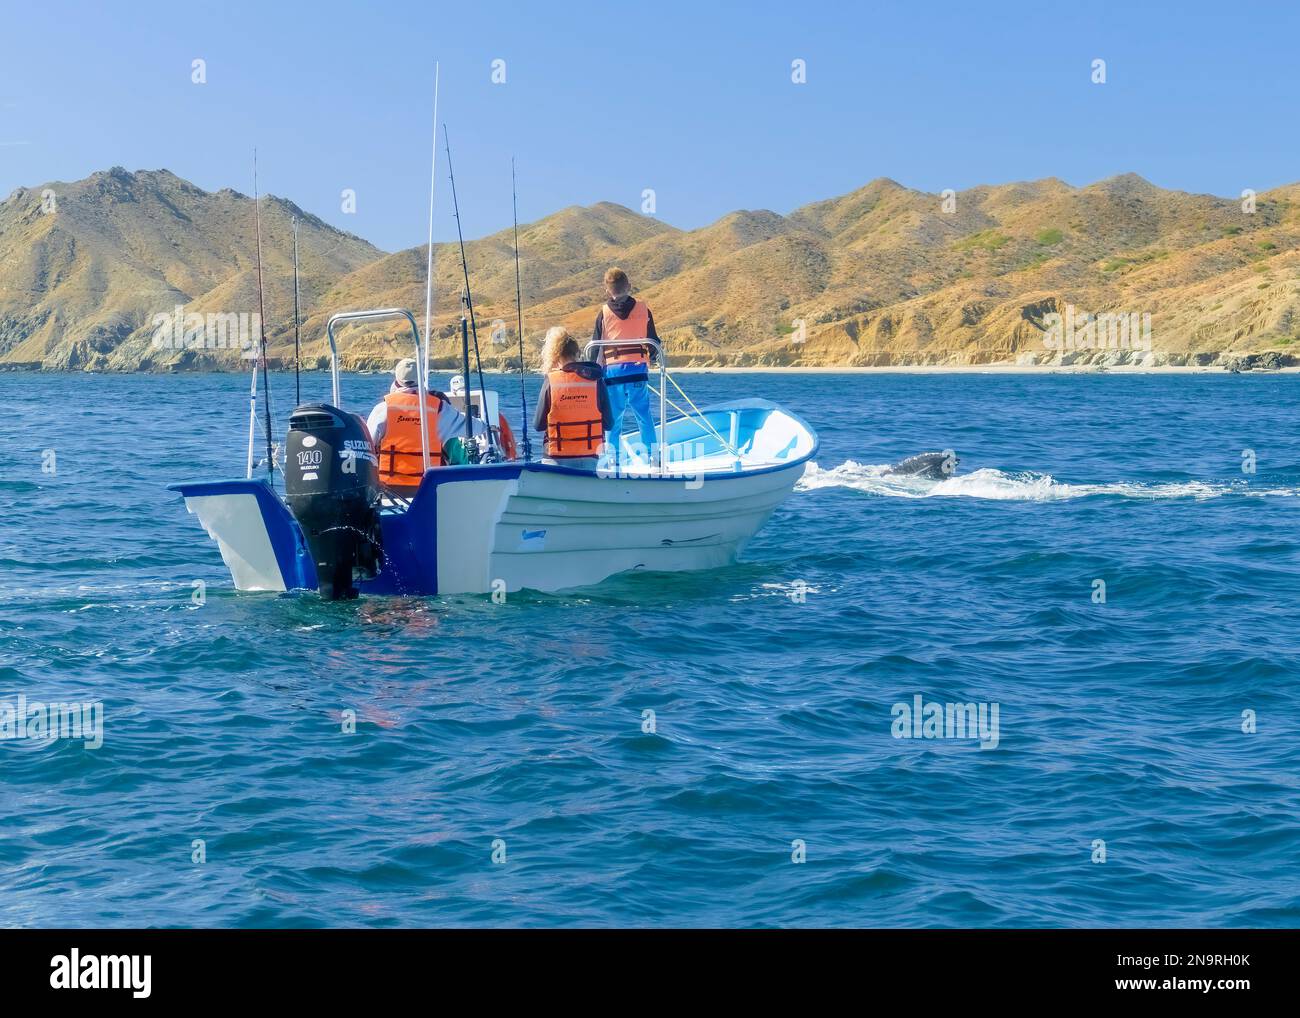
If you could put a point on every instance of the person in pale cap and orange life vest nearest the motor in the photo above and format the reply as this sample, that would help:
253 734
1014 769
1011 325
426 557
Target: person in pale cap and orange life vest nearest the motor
396 428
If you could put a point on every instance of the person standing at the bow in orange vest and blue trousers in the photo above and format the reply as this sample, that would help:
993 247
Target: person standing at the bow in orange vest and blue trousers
627 369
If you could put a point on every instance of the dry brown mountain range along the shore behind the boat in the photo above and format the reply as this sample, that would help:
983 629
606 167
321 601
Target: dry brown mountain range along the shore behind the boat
882 276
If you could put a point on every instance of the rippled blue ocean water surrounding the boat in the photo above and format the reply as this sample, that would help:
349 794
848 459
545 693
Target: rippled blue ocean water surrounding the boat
517 729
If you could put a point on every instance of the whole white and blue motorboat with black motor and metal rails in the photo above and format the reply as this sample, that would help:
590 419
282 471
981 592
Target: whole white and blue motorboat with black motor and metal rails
501 525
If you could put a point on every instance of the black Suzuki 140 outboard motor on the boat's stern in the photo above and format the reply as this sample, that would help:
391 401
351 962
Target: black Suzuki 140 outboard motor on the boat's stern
332 484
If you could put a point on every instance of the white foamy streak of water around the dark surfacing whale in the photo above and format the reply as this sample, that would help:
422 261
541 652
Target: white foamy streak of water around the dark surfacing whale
1021 487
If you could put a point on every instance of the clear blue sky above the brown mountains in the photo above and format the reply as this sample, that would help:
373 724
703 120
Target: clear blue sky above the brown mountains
692 99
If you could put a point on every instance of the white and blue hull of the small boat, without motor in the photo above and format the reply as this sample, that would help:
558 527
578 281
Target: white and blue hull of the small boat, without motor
515 526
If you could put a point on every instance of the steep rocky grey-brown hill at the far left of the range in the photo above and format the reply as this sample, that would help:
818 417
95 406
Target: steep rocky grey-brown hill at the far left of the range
86 267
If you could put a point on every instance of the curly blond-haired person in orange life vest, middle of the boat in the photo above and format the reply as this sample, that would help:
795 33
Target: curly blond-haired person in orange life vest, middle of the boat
574 406
